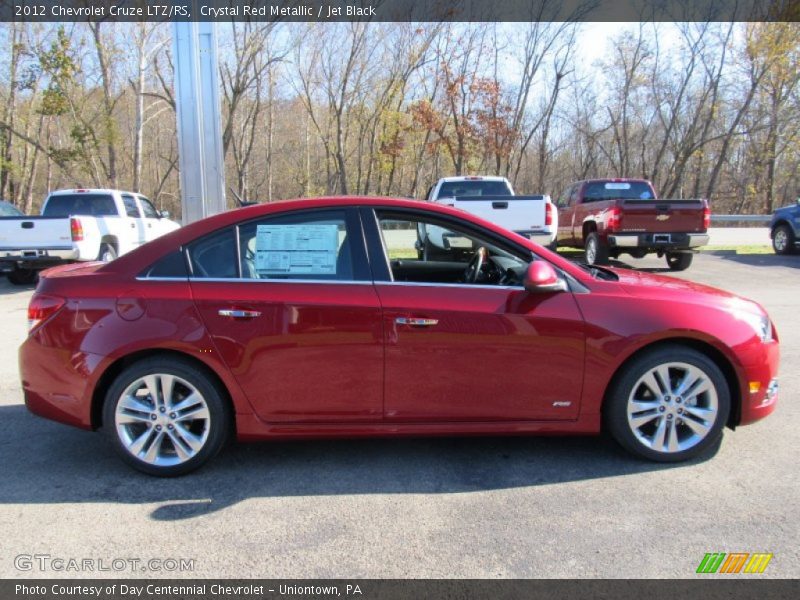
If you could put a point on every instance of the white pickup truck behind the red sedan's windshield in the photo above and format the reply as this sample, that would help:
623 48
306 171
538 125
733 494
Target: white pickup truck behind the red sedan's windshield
492 198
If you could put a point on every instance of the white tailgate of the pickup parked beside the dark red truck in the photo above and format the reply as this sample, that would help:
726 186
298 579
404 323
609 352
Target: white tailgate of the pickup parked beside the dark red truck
517 213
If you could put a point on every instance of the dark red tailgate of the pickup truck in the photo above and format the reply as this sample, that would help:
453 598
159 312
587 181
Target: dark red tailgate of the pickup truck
685 216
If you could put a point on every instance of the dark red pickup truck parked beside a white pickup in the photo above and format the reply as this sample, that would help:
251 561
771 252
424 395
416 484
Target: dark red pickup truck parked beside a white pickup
609 217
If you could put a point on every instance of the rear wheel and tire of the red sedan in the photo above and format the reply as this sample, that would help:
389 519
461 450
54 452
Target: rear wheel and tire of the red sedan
205 424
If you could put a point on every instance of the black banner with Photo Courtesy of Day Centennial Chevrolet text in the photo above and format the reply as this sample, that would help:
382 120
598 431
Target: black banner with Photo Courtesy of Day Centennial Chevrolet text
389 589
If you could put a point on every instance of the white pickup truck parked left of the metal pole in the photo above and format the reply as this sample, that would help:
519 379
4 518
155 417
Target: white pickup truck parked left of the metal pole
78 225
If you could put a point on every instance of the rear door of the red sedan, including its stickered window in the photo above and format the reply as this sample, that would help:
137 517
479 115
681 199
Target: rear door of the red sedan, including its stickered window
291 307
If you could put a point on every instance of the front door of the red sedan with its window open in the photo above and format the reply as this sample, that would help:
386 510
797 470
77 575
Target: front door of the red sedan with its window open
467 346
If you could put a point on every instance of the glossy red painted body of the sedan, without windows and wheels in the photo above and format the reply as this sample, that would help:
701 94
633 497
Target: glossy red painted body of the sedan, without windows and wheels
329 359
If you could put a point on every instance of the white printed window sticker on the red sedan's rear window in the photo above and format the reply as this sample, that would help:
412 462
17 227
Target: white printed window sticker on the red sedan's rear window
296 249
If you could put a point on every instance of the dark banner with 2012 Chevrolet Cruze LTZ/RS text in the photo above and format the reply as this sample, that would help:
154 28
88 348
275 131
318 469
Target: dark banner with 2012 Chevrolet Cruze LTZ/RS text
400 10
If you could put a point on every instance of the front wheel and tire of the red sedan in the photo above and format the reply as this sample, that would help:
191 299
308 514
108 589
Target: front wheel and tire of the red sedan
632 431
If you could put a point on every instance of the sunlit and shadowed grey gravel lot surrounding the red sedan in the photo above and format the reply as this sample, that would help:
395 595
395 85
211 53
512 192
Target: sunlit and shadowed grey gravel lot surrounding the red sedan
491 507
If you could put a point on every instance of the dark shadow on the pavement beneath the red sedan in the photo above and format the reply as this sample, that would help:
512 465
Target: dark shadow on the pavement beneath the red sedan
48 463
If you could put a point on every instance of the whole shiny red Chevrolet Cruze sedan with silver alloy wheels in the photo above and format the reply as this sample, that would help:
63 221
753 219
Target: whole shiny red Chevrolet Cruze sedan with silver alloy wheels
321 318
